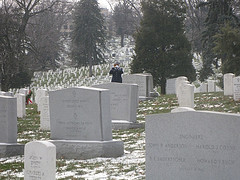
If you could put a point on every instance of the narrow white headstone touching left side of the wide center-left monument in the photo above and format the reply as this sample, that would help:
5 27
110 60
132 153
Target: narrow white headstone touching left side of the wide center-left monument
44 113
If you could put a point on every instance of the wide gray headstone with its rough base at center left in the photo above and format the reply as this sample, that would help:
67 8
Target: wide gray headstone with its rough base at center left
81 125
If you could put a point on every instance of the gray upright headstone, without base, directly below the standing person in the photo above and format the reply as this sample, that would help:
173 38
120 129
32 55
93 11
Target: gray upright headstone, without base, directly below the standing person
123 100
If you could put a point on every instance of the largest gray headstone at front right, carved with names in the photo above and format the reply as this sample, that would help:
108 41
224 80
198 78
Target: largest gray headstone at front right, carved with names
194 145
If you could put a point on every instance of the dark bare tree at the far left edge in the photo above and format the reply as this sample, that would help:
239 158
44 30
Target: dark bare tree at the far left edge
14 42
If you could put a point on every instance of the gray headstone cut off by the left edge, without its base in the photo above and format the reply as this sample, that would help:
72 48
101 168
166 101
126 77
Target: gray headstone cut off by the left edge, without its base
8 119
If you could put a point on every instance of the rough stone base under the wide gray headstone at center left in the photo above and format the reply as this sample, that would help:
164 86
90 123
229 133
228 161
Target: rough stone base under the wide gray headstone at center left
70 149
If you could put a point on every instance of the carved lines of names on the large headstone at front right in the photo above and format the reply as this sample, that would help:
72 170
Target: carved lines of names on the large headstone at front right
196 143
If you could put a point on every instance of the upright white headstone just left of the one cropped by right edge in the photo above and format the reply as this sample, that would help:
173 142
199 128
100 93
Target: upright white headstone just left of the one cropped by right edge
228 84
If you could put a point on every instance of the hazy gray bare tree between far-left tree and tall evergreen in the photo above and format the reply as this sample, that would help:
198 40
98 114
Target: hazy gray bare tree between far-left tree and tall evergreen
44 31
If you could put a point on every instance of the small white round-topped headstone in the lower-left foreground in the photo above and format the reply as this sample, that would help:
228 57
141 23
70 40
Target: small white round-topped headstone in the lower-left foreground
39 161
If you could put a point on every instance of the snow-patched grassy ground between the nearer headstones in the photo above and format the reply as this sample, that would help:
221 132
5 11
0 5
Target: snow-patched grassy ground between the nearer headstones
132 164
